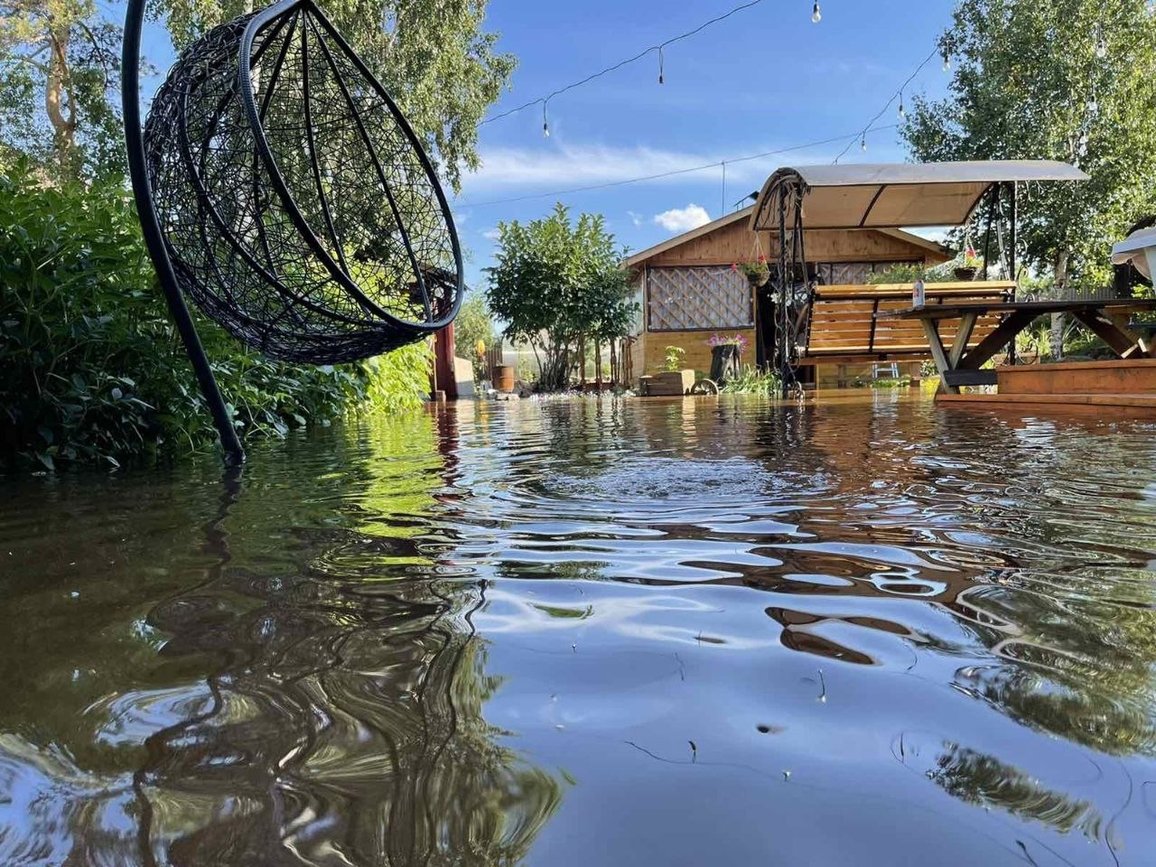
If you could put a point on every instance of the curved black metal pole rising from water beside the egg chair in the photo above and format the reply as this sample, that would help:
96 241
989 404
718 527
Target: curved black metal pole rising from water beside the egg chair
151 227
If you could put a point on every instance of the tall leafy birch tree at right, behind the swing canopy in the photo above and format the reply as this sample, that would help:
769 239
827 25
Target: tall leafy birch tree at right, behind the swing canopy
1054 79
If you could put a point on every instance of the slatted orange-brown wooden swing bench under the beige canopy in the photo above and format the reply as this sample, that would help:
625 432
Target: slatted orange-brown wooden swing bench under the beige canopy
846 325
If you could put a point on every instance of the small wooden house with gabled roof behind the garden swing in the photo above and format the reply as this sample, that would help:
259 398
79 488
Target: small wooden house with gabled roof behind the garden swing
691 291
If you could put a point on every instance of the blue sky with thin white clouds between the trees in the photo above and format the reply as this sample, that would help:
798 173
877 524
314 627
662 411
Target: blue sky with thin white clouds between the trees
765 79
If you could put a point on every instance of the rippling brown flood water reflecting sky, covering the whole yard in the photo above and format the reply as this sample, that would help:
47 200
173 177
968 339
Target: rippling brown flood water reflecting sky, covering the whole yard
865 632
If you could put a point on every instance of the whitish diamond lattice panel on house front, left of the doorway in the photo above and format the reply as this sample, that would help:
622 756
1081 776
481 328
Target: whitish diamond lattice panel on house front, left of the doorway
698 298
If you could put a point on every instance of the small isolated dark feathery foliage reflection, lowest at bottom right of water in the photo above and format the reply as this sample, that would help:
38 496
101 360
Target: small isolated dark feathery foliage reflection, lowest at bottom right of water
984 781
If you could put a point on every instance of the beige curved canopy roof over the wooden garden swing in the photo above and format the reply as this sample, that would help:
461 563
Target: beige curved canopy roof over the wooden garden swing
894 196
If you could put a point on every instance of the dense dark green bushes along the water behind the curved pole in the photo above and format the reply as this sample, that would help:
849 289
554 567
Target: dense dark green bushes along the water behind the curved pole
94 370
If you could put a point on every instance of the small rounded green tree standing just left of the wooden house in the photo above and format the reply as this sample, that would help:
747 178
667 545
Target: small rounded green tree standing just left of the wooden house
559 285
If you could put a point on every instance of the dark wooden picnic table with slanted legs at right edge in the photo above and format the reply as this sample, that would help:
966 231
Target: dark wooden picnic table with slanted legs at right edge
960 366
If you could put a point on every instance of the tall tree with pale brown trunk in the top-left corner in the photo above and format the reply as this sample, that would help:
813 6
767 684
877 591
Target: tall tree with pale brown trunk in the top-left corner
60 70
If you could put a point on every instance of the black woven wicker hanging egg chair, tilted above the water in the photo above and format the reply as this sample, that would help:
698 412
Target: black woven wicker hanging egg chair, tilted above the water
297 205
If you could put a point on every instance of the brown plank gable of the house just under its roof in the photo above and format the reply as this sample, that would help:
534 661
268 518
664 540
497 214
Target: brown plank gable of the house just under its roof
736 243
